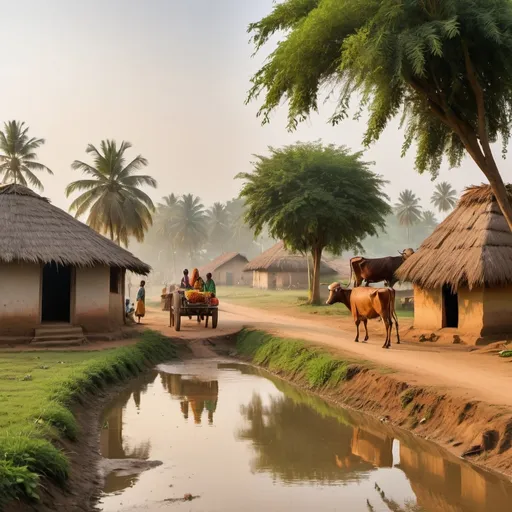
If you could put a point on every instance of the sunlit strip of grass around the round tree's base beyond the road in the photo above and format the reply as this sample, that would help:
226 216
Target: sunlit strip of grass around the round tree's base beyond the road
293 300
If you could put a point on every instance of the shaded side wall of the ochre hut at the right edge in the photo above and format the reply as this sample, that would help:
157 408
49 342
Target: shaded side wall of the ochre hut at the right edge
497 311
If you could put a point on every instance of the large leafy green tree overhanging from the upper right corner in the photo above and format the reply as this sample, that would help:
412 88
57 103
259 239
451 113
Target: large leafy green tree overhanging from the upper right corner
442 65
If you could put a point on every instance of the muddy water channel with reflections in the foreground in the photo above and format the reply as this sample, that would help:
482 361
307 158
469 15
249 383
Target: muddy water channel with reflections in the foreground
241 440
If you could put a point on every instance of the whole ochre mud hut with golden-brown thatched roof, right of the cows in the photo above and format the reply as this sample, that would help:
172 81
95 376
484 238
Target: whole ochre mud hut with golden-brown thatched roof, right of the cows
462 273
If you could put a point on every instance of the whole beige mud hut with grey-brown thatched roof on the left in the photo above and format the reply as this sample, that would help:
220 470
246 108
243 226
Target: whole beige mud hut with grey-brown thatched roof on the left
60 279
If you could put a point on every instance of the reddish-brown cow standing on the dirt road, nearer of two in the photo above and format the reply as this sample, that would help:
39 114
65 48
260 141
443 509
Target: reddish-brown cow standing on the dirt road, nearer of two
366 304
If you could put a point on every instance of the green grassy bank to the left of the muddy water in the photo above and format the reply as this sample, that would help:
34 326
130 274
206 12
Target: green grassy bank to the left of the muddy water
37 390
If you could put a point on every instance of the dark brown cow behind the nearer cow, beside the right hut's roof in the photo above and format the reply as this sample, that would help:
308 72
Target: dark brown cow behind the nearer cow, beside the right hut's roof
377 270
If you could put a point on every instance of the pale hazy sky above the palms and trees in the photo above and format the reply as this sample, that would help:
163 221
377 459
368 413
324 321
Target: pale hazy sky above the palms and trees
171 77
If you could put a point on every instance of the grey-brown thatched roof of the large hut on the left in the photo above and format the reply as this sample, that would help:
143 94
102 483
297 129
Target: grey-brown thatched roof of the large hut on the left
33 230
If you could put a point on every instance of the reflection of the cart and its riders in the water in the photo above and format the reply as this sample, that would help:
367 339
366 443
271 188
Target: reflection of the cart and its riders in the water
195 394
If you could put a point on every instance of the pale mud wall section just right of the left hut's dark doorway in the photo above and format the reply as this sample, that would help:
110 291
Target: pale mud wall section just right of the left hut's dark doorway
92 300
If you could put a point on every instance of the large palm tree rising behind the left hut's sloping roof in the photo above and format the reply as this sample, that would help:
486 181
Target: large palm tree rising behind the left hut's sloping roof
117 206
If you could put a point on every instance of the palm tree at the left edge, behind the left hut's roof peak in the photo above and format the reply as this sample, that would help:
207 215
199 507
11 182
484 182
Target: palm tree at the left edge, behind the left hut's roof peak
18 158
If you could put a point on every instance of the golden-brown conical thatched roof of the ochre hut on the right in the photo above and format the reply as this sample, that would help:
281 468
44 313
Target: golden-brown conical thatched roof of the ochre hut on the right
472 247
